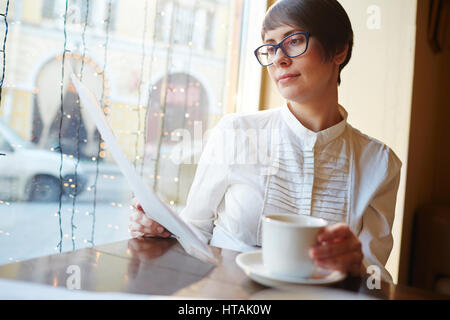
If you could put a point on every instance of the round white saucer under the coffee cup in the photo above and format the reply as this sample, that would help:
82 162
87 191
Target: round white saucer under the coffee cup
251 263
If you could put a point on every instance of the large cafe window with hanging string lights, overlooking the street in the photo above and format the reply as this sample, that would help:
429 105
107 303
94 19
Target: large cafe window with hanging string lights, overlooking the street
179 72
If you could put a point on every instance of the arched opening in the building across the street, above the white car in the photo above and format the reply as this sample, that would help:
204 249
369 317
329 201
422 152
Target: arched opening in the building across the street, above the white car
47 107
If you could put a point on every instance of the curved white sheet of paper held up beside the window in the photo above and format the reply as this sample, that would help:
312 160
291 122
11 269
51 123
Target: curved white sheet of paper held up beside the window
152 205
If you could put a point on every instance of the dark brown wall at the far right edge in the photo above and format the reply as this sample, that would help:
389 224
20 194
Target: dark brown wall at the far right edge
428 174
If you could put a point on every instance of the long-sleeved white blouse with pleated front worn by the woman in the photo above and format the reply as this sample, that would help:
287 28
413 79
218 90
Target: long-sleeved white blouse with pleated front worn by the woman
268 162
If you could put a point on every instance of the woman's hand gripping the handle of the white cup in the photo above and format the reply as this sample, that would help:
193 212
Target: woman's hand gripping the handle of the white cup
338 249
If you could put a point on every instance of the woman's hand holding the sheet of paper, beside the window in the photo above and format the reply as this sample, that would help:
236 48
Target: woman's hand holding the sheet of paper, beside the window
142 226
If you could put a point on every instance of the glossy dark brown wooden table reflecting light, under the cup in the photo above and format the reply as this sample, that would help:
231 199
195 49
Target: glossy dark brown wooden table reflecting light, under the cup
161 267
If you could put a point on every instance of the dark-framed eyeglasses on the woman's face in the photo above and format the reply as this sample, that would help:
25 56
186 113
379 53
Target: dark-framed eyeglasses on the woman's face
292 46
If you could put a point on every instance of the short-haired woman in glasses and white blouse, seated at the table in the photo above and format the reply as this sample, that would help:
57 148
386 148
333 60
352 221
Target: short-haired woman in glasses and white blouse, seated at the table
319 164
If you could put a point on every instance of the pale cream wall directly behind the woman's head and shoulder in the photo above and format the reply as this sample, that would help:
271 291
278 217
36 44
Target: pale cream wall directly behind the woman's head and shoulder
376 86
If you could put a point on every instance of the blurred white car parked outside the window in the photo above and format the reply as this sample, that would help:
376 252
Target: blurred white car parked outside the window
28 173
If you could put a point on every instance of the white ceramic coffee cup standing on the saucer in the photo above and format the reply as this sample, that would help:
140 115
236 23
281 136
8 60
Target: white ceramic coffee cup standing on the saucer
286 240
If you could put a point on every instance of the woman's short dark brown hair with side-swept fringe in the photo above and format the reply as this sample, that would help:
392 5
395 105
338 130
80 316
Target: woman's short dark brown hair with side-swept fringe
326 20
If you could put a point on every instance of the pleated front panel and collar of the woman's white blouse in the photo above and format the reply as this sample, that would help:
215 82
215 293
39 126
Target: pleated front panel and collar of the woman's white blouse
313 172
